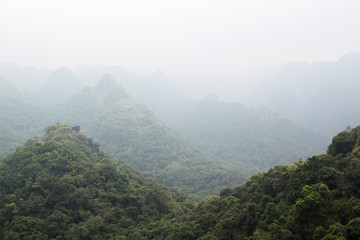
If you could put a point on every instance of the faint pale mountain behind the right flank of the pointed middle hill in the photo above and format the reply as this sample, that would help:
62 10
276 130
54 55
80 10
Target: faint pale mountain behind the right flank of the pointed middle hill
163 97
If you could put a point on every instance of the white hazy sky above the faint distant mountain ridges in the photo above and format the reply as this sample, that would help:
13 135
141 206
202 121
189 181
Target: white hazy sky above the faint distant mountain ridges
214 37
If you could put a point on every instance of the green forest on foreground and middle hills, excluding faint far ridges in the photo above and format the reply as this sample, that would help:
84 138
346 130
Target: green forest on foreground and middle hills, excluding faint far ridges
137 178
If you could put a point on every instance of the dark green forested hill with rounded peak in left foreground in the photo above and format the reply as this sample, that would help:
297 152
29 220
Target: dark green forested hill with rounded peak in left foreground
63 187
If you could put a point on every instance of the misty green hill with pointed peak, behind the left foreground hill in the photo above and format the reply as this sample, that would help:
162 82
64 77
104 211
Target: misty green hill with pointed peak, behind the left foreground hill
130 132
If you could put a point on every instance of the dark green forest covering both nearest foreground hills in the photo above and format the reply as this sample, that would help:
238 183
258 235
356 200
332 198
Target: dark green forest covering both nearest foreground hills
63 187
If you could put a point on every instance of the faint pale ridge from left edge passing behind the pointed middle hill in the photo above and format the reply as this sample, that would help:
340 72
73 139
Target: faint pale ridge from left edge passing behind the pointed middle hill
51 87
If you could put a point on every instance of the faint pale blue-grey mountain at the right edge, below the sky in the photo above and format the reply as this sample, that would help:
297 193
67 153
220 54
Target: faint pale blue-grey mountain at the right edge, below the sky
320 95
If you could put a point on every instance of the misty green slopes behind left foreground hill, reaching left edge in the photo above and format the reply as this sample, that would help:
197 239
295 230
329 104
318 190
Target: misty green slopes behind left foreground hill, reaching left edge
125 129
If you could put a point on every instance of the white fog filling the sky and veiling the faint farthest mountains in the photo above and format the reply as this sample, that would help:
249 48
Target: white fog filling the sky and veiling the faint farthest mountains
291 56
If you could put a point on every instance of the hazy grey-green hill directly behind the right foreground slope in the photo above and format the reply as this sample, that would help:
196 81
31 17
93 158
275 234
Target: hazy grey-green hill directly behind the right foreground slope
252 141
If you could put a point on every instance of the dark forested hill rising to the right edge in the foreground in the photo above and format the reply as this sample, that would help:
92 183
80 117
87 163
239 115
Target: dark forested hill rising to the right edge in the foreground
315 199
